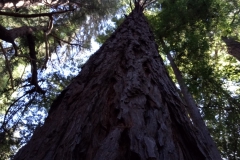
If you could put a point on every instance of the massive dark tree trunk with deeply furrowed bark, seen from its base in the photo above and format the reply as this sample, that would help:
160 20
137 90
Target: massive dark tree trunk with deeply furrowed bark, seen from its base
122 106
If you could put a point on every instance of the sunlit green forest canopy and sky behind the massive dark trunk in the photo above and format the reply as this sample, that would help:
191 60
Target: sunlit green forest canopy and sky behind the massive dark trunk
44 44
